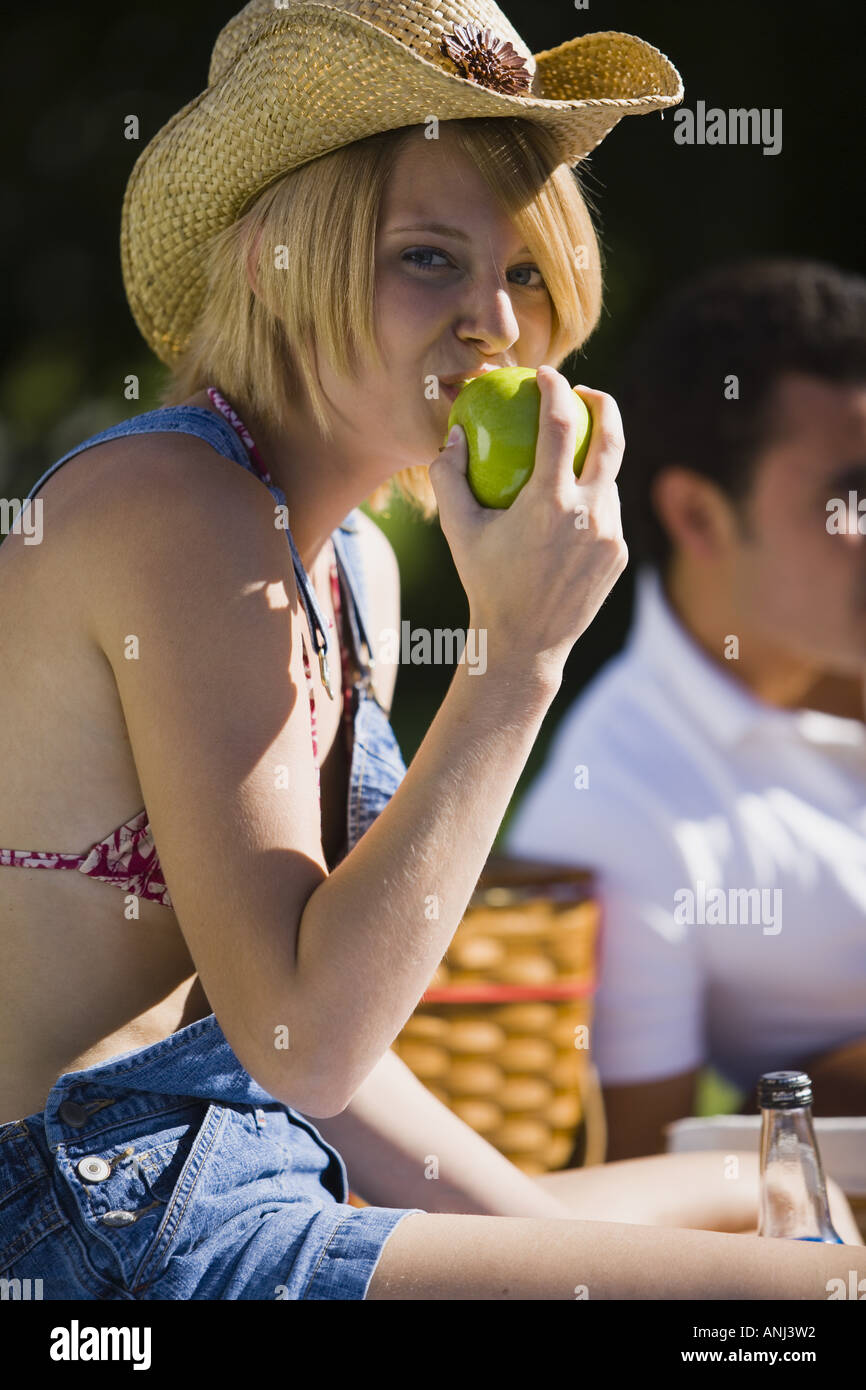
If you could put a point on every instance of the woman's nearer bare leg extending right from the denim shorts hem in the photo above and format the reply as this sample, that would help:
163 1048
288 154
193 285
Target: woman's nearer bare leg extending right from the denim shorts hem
439 1257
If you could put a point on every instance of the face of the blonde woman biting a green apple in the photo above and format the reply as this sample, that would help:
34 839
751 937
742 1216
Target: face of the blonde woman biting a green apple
446 304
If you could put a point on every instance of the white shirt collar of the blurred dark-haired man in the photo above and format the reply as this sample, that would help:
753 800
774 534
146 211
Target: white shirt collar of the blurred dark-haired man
726 710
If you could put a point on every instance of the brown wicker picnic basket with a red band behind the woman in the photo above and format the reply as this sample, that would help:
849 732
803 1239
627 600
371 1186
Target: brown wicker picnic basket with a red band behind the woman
503 1033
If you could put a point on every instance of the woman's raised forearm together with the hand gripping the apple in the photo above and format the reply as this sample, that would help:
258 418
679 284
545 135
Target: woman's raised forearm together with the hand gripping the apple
384 919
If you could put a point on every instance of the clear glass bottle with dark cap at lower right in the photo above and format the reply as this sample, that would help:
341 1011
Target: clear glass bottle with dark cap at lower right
793 1192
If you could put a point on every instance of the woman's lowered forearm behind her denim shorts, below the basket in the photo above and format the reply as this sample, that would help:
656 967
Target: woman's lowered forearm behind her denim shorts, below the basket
404 1149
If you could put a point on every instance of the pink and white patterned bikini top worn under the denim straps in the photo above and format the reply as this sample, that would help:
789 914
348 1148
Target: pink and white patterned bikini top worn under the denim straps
127 857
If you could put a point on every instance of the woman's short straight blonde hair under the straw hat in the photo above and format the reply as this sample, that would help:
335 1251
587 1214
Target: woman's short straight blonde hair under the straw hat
259 348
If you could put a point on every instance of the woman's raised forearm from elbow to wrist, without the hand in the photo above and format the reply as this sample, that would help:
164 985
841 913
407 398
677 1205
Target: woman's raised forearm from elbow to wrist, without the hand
375 932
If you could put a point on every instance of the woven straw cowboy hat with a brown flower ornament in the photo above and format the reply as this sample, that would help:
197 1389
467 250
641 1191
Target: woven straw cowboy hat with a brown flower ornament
294 80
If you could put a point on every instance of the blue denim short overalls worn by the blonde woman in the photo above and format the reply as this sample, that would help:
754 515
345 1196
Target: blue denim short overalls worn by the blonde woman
169 1172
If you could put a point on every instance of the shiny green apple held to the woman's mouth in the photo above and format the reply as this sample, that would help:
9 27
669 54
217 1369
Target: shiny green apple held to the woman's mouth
500 415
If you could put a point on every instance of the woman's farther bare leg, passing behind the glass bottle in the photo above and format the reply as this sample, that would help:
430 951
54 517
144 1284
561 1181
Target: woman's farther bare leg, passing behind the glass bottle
703 1192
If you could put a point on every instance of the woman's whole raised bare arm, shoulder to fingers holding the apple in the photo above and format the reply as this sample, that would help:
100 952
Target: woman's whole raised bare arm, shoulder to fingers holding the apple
193 565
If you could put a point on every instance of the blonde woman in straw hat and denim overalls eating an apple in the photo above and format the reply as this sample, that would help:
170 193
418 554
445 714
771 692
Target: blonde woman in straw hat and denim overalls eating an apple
197 633
